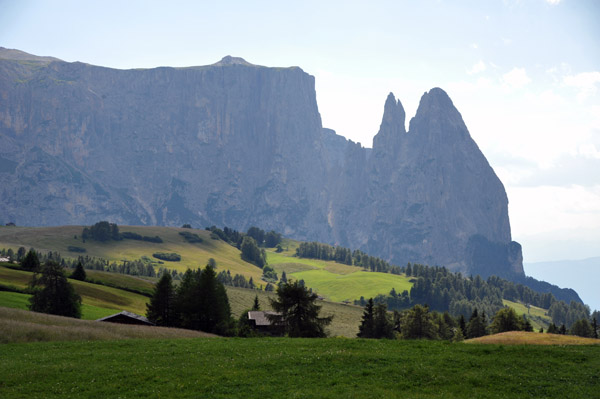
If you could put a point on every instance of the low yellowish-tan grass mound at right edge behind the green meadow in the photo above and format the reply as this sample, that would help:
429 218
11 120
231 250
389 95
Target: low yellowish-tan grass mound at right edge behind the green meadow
532 338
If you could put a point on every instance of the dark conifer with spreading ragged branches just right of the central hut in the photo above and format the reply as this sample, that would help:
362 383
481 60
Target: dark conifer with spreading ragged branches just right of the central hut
297 313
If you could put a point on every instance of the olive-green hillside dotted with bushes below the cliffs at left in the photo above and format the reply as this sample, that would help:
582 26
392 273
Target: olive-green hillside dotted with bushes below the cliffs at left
192 255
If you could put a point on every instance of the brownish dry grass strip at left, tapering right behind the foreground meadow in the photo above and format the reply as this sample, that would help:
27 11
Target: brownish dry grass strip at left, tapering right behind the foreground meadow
24 326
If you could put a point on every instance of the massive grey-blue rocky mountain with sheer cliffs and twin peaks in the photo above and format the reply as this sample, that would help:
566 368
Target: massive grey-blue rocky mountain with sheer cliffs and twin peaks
238 144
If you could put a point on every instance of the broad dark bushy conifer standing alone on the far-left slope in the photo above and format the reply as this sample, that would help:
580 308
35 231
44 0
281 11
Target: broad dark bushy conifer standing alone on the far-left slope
53 293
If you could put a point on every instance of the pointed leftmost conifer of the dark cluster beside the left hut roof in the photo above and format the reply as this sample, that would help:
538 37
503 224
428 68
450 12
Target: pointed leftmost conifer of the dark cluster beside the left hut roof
161 309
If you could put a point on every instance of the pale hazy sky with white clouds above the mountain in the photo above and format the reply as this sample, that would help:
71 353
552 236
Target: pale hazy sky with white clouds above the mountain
524 74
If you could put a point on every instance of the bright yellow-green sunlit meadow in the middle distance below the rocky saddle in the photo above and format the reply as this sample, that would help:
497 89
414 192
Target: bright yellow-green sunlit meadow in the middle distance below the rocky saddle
335 281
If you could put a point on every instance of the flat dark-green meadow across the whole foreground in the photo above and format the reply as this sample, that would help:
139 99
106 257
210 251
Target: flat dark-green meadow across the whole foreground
296 368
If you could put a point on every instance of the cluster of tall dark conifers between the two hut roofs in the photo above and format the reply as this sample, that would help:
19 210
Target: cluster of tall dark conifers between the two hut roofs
200 302
